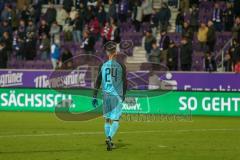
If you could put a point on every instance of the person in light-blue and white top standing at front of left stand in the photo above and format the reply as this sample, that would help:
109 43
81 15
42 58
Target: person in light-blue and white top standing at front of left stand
55 53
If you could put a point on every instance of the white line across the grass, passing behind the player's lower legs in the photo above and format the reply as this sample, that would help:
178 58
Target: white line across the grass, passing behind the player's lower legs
127 132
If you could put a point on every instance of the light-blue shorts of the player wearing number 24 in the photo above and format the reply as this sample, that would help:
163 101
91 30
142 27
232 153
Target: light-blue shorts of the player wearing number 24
112 106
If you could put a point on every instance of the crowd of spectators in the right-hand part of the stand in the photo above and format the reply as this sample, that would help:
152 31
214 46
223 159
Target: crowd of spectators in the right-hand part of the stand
221 20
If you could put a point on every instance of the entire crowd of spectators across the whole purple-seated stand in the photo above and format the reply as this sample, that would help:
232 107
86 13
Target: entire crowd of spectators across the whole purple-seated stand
27 30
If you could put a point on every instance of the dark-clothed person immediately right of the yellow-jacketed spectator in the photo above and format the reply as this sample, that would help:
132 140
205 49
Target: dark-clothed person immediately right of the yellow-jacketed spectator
211 37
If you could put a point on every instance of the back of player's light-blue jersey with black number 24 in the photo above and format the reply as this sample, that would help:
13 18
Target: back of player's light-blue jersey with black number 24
112 81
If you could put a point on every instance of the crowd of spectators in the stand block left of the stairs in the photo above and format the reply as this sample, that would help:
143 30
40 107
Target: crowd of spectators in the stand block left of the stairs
28 30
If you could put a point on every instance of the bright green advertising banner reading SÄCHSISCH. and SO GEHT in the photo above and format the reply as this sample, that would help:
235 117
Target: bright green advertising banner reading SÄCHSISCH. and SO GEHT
137 102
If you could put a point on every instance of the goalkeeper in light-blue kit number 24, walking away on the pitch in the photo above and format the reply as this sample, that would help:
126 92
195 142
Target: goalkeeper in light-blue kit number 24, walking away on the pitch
112 77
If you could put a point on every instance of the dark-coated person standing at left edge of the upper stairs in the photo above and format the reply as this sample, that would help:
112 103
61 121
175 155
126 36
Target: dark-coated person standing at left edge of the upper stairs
164 16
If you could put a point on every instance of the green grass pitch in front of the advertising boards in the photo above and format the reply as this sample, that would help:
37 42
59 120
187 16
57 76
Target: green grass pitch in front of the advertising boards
41 136
